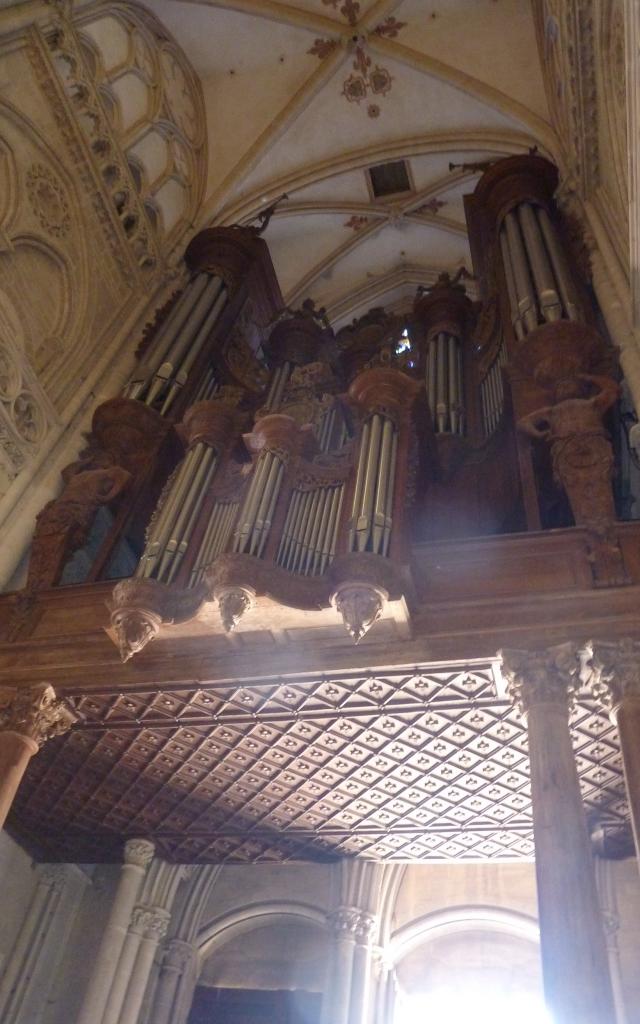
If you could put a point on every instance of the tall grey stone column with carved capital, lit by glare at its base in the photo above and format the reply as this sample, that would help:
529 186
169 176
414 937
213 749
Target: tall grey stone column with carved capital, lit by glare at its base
576 970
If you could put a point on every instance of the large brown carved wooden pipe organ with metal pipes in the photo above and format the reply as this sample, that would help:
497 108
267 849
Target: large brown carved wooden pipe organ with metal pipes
260 453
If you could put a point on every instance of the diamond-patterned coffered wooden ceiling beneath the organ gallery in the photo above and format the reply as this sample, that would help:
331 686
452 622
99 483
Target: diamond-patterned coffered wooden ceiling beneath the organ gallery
409 764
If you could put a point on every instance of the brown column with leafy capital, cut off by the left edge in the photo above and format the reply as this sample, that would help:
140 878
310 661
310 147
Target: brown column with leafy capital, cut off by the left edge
29 716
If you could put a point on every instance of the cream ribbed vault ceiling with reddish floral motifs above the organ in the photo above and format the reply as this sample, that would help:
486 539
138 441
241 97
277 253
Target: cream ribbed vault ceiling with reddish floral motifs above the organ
304 98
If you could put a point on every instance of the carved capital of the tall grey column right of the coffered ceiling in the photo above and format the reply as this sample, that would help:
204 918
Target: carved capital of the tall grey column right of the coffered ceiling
542 677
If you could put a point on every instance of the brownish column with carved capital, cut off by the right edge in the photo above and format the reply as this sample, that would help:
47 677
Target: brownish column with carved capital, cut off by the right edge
616 684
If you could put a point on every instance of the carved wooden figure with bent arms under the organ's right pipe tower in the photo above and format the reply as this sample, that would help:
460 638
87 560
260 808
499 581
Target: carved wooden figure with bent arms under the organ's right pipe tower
581 451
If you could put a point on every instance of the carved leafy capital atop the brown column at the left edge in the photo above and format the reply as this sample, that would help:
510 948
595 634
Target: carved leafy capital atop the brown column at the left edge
34 712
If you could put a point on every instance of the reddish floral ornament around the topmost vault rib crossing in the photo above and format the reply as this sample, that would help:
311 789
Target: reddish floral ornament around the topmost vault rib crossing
366 77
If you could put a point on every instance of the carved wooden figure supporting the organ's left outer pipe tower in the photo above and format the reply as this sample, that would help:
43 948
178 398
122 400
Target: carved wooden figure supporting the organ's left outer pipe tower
64 524
